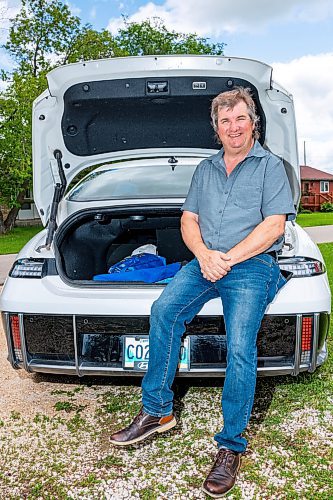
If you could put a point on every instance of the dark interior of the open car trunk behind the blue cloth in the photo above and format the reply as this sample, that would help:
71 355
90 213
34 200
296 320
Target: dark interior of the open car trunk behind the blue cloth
92 241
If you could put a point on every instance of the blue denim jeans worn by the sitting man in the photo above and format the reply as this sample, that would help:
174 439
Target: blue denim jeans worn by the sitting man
245 293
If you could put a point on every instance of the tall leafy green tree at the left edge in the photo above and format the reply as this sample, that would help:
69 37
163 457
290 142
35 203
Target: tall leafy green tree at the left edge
40 37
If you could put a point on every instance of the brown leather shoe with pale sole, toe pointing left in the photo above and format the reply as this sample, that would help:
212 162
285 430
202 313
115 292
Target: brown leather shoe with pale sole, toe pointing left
142 426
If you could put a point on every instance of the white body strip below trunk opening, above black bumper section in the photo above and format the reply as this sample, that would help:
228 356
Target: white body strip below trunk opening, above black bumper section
52 294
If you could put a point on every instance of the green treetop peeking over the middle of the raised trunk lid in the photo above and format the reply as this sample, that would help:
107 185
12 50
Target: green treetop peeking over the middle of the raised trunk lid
152 37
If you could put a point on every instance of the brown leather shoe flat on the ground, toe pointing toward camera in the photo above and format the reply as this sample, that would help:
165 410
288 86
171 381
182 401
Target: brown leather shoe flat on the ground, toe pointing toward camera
222 477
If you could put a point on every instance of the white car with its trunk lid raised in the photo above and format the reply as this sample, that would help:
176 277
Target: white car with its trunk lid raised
141 125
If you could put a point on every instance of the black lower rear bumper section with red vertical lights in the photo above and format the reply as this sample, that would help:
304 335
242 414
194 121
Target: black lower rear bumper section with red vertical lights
93 345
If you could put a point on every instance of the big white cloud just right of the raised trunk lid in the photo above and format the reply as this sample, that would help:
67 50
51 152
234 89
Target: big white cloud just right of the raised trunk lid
309 80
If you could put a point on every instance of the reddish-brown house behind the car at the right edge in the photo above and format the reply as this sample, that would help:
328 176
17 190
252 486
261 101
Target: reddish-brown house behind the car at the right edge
317 188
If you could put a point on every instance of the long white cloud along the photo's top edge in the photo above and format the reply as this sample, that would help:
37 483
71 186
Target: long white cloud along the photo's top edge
215 17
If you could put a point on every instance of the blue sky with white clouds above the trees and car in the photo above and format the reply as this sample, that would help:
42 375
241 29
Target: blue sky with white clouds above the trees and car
294 36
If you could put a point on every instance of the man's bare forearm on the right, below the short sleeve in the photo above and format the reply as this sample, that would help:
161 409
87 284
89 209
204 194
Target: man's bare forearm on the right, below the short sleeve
259 240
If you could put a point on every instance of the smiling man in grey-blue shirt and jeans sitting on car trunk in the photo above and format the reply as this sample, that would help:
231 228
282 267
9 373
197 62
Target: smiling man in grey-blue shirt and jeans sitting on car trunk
233 222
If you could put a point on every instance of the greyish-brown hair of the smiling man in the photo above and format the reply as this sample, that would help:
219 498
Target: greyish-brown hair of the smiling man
229 100
